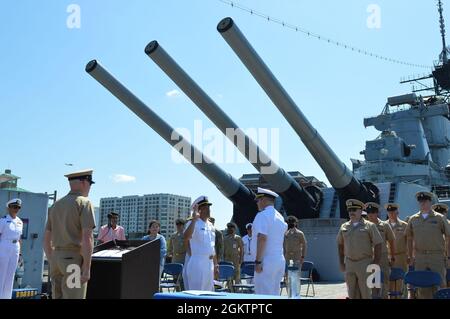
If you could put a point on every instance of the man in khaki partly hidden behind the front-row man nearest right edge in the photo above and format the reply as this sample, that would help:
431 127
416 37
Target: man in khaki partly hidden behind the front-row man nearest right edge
399 227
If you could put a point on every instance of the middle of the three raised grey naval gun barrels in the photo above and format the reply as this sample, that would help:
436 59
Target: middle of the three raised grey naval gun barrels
297 200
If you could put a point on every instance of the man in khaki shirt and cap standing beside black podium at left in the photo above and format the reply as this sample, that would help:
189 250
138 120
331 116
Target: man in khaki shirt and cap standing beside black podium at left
68 239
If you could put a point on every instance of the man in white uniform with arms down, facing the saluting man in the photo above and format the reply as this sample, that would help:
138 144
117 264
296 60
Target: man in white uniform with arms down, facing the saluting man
269 228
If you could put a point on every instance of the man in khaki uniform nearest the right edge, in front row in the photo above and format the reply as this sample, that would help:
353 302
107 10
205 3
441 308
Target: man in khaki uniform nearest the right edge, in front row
426 232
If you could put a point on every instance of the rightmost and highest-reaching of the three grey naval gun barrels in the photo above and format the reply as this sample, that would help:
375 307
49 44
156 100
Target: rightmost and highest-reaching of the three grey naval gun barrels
340 177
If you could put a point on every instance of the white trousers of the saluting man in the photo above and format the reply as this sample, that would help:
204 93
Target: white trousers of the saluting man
200 273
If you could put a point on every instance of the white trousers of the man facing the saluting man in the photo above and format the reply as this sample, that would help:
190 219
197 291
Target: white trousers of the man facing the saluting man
268 281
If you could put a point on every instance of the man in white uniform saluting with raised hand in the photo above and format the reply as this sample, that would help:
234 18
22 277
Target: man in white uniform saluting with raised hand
202 262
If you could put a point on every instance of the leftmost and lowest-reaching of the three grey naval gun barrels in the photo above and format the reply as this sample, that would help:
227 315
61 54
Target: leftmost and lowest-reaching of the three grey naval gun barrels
242 197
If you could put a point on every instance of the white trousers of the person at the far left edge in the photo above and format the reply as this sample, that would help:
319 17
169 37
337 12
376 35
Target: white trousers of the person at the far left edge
9 257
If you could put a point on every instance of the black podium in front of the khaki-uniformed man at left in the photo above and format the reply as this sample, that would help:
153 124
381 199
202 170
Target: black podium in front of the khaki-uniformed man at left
125 269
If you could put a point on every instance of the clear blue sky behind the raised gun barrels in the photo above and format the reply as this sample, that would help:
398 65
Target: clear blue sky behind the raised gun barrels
54 114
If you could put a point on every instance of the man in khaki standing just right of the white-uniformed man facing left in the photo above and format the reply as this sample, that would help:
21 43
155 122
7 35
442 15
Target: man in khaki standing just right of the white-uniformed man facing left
294 245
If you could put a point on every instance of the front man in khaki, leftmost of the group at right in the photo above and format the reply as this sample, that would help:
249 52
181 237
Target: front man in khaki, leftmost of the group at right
359 245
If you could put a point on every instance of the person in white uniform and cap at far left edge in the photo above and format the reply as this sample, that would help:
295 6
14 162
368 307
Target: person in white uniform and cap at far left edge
11 228
